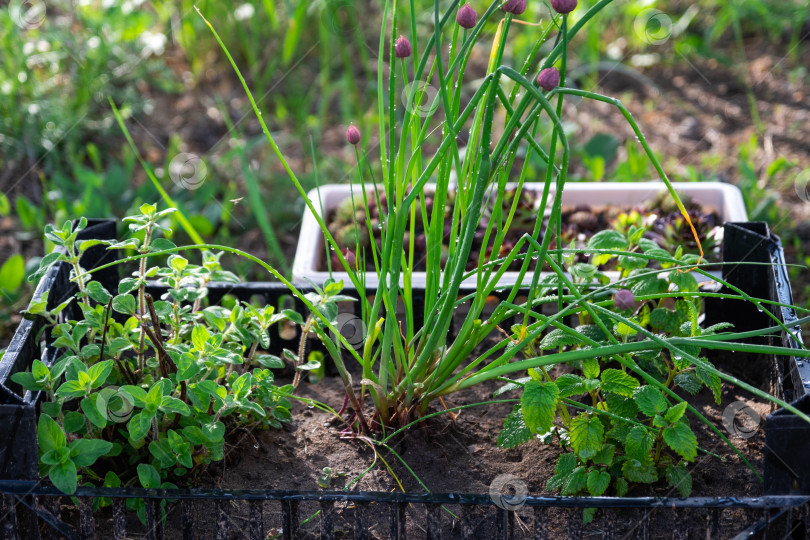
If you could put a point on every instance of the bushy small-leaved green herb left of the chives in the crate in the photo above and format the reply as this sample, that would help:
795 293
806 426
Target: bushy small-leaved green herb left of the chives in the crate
146 391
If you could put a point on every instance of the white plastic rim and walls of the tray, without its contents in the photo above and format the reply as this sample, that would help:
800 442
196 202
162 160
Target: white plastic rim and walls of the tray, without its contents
724 198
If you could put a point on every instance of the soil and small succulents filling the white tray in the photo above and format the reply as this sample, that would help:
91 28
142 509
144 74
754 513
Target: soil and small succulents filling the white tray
665 224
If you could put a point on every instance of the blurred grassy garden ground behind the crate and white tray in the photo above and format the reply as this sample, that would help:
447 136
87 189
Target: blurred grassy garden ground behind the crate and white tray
313 67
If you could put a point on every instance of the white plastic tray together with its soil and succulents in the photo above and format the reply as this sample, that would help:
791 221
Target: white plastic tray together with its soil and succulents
587 208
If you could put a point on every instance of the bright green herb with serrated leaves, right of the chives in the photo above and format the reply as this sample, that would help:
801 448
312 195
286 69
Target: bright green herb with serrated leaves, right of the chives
619 429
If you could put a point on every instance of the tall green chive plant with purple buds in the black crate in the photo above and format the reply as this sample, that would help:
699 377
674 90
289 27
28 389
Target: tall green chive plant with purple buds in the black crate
405 367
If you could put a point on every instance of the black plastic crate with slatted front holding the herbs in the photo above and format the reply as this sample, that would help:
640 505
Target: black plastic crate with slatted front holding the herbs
30 508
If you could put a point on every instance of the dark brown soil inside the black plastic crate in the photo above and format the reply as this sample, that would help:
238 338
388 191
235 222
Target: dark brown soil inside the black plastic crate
461 456
